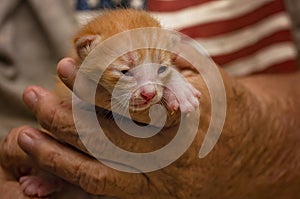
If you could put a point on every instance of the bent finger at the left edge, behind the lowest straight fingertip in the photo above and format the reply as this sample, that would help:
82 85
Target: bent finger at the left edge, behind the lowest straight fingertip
12 156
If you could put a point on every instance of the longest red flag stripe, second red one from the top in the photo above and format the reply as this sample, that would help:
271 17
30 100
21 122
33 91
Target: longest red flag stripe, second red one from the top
224 26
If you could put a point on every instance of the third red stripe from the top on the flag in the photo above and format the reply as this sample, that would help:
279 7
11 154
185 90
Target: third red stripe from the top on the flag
281 36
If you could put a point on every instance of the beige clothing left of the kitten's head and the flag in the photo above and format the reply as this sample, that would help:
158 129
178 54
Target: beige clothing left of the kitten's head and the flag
34 35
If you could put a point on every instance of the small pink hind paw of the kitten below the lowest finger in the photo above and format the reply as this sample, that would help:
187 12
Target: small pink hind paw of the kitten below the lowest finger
37 186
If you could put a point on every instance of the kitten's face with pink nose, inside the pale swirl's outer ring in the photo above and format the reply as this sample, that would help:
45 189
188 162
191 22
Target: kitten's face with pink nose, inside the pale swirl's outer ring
138 78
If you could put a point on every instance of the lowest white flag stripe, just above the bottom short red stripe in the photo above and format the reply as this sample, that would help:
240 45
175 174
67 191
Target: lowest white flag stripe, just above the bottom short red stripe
263 59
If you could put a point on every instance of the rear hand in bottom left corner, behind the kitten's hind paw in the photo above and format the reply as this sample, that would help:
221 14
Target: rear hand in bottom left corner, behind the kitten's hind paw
15 163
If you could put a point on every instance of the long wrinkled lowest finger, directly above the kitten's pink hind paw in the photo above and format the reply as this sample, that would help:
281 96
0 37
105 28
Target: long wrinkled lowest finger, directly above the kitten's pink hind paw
79 169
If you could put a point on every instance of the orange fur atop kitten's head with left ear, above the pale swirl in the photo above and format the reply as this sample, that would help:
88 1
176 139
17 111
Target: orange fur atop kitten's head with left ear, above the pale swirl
107 25
